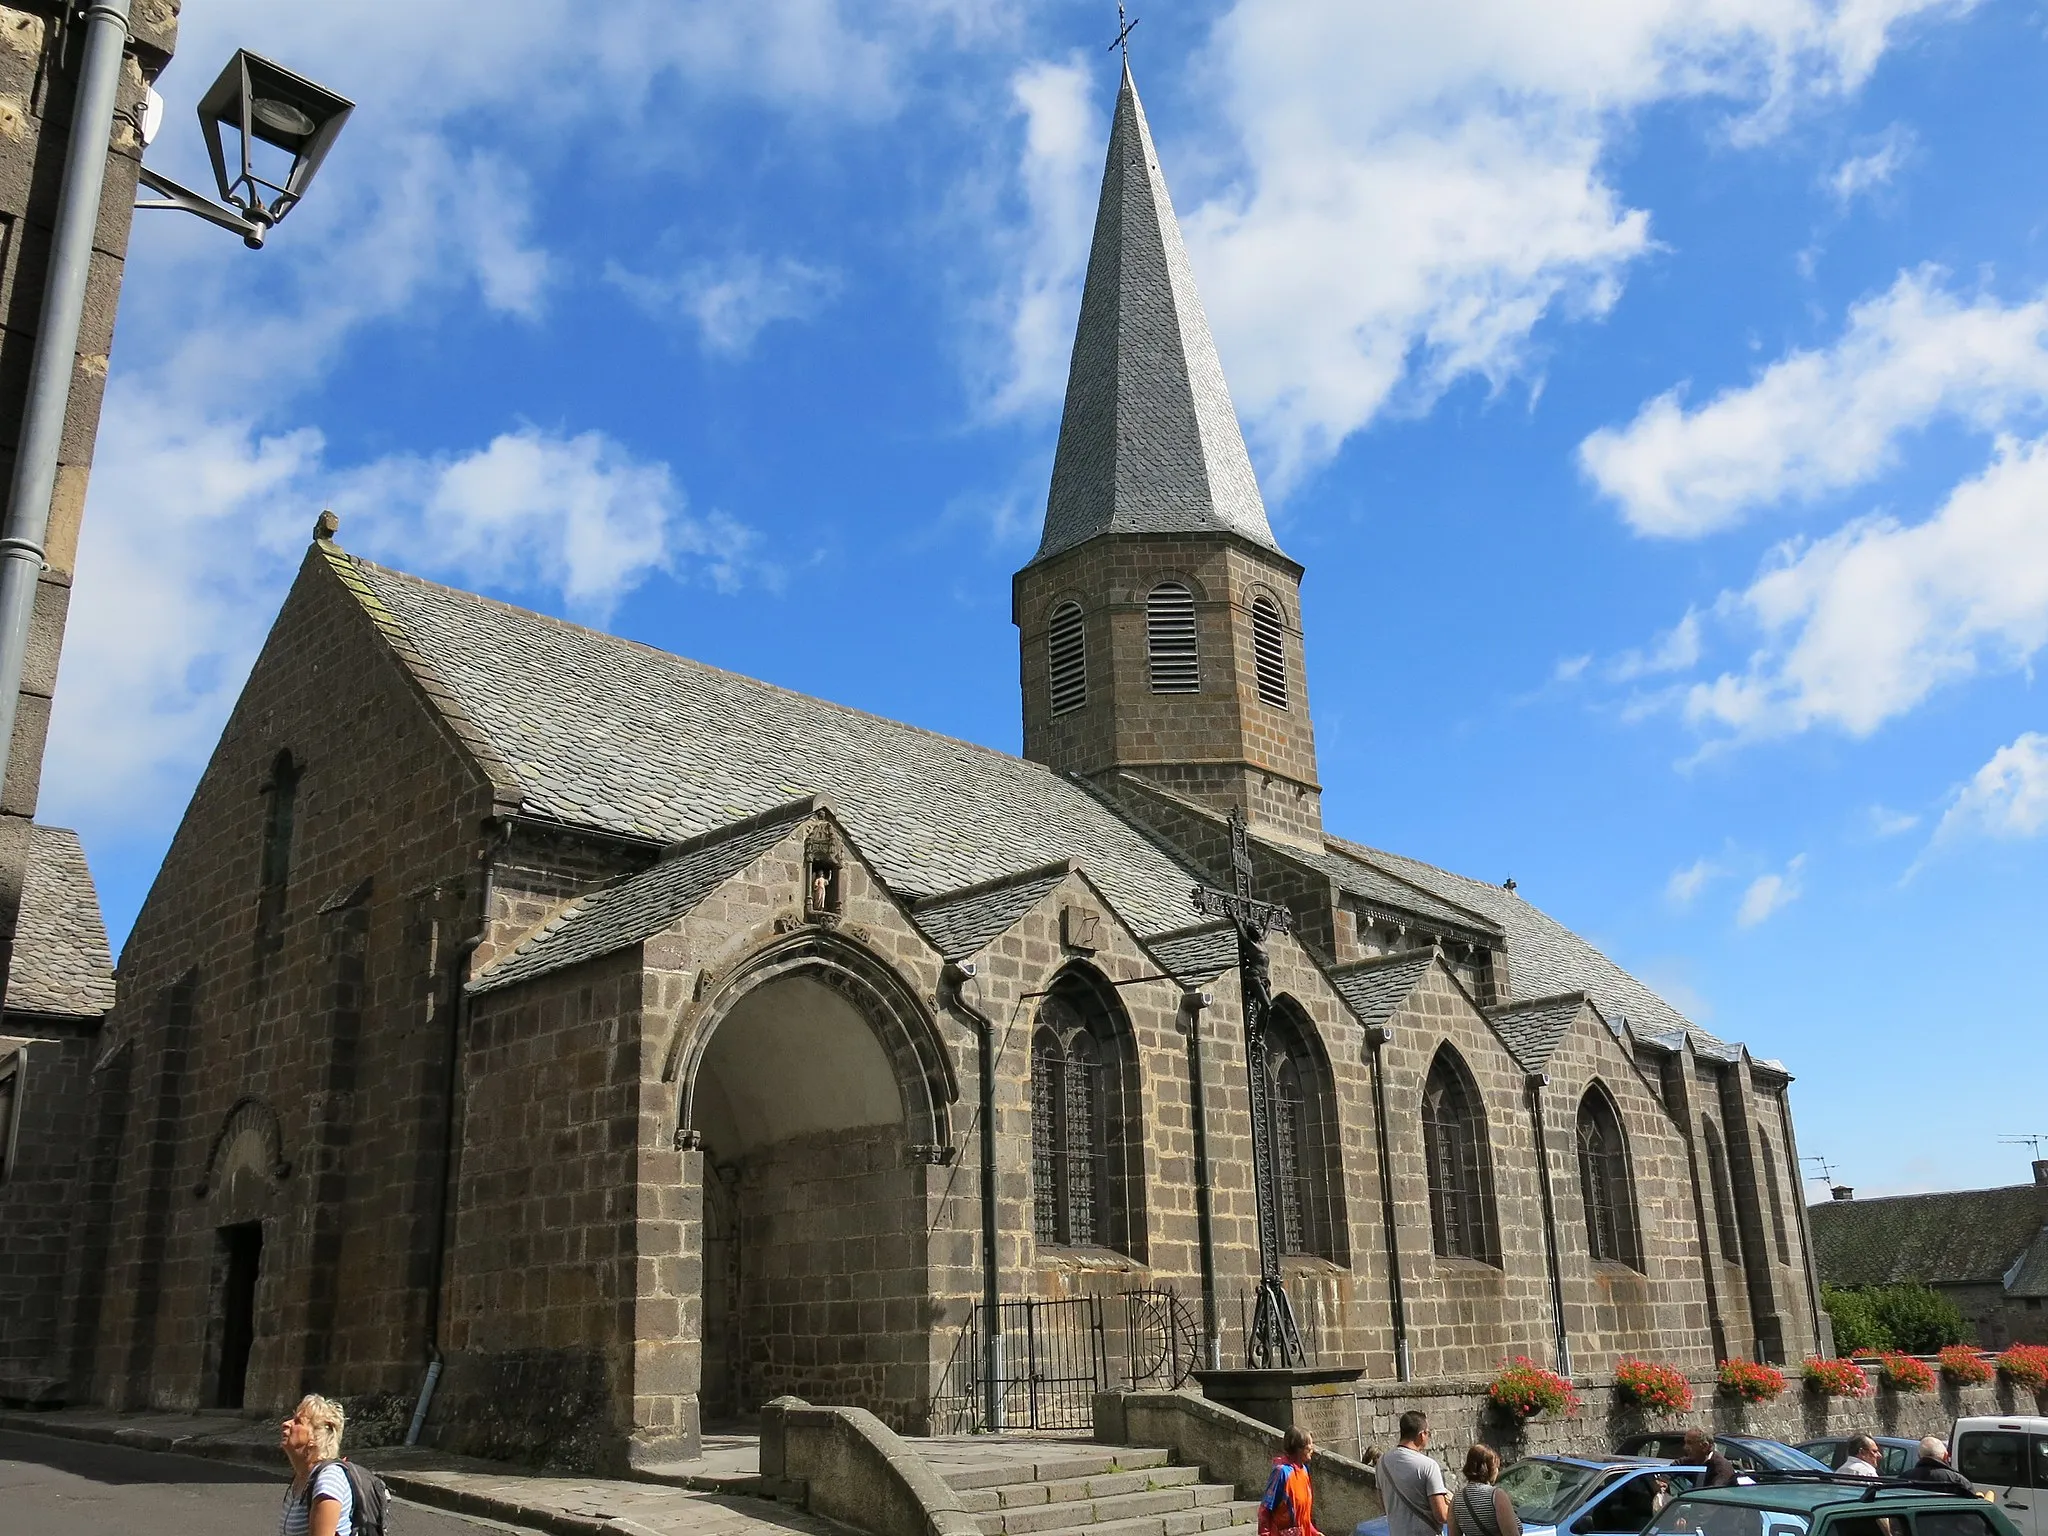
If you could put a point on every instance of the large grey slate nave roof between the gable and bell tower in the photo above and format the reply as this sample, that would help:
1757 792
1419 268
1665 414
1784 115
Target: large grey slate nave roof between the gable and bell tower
611 734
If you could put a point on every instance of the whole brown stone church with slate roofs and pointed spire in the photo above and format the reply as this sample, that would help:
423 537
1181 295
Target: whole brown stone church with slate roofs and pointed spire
628 1041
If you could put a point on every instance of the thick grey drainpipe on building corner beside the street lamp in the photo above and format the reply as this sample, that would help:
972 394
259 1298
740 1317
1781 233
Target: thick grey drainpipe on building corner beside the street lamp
56 347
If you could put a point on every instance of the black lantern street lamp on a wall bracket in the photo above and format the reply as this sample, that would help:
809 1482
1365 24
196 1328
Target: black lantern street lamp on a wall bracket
259 103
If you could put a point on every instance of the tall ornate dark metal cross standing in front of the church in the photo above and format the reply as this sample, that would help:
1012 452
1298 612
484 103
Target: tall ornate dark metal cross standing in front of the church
1275 1338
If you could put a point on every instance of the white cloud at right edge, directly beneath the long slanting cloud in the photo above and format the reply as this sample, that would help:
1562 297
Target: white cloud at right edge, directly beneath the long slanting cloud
1863 626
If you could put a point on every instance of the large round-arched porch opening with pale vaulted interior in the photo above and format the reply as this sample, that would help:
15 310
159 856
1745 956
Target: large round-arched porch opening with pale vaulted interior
814 1277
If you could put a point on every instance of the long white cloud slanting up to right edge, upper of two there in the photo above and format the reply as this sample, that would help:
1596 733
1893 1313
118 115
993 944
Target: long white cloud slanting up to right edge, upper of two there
1826 421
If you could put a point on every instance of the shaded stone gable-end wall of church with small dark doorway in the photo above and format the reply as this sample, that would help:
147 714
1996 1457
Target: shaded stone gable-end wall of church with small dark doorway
331 1025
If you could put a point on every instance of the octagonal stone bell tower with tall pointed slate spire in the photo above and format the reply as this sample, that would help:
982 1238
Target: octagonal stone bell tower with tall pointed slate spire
1160 624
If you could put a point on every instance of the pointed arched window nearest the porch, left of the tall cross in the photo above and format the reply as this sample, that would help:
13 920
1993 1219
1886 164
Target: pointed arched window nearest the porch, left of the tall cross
1080 1138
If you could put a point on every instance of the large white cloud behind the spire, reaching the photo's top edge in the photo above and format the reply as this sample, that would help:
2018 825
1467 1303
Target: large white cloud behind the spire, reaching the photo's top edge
1400 194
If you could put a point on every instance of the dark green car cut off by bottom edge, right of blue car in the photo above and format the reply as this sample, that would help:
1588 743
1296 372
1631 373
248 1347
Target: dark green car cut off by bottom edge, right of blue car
1828 1506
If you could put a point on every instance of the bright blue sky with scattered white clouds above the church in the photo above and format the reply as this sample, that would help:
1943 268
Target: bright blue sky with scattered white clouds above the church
1656 392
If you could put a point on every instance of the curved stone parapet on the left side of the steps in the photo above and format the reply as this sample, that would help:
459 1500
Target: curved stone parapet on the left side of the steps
855 1469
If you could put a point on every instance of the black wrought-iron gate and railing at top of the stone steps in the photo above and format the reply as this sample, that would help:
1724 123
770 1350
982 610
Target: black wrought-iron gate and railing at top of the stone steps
1058 1355
